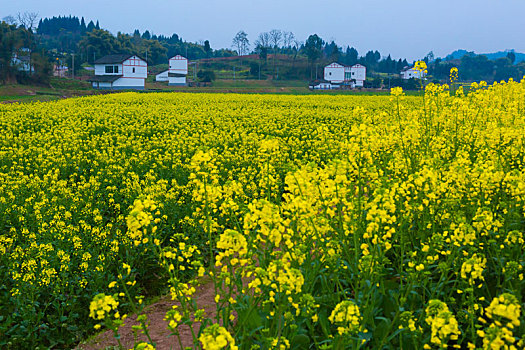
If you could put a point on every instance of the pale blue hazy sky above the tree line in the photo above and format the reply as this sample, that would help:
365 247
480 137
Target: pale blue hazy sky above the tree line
402 28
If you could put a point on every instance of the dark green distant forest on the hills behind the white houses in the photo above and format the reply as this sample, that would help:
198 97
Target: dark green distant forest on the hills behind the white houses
64 36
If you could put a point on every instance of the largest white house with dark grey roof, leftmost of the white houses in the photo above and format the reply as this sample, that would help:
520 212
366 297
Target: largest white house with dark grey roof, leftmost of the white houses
120 72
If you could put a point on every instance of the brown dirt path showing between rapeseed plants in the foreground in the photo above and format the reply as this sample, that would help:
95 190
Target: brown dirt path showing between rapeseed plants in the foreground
157 328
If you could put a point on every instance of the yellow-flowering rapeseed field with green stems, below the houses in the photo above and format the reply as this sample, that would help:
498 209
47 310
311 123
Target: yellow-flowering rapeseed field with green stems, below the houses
323 222
